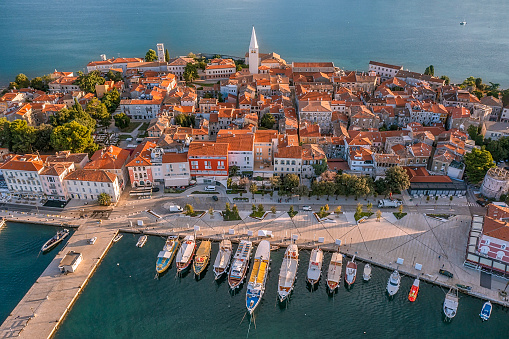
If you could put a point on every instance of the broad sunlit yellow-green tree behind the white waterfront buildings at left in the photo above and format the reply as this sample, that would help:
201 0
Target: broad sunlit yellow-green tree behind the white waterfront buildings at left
74 137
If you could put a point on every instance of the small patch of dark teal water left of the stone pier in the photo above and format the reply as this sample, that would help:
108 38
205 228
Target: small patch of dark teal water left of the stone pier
20 261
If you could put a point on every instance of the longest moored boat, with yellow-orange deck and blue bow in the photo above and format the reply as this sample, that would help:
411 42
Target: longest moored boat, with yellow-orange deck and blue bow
258 278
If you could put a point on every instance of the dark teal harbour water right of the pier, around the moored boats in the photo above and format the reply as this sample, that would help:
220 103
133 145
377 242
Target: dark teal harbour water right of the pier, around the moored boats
123 300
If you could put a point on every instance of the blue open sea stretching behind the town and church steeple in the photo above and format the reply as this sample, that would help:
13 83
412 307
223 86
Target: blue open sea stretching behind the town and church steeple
39 36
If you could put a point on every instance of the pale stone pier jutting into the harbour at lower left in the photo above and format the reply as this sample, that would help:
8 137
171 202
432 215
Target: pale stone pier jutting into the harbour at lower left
48 301
